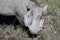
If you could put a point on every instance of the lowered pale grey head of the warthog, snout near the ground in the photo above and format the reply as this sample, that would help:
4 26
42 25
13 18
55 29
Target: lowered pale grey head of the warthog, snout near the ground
33 19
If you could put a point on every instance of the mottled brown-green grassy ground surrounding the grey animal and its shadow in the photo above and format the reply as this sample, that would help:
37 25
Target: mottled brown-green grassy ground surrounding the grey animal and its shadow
50 31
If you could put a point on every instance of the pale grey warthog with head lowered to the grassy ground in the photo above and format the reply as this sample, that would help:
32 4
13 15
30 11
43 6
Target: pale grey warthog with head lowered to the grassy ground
27 11
